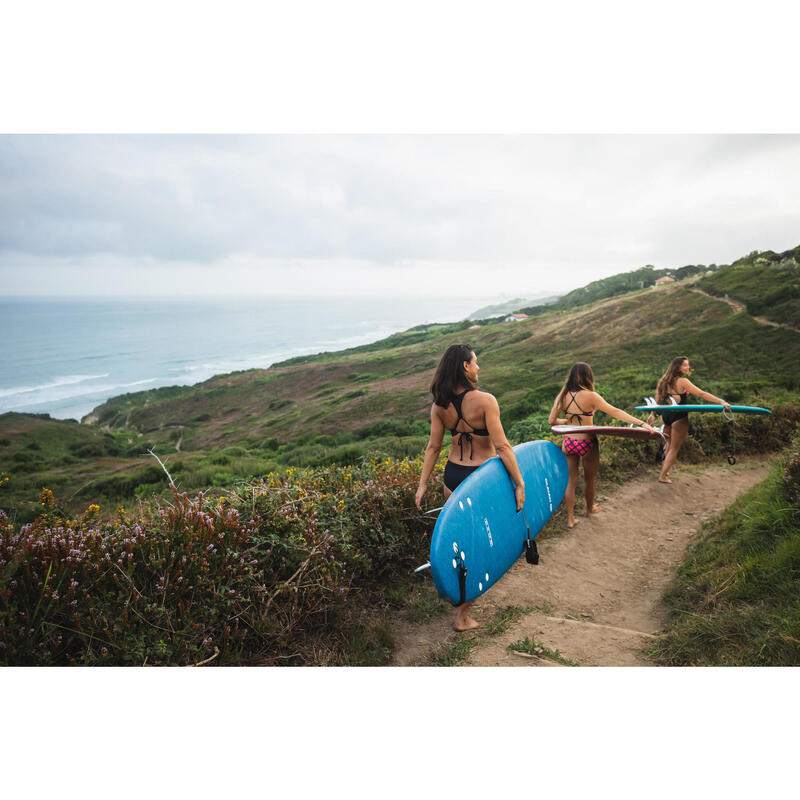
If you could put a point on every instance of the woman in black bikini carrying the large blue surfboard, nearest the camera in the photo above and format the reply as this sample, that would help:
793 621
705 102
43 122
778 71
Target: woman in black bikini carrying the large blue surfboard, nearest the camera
473 419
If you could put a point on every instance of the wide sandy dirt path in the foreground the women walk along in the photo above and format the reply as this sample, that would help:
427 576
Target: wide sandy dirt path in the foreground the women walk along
595 595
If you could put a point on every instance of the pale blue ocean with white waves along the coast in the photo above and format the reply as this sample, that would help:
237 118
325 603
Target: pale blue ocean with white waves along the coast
65 356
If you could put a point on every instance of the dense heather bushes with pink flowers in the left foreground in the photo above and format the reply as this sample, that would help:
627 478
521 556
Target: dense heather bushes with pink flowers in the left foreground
240 578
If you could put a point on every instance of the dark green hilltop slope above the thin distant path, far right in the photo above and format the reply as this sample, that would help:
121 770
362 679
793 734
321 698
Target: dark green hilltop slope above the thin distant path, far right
767 283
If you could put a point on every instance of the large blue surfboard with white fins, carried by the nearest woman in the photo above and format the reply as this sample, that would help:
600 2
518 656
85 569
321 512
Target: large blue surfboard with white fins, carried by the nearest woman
479 534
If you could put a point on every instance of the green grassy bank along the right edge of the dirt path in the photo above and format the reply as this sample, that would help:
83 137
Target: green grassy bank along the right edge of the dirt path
735 601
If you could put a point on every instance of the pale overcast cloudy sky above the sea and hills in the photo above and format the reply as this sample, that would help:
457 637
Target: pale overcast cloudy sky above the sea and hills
484 217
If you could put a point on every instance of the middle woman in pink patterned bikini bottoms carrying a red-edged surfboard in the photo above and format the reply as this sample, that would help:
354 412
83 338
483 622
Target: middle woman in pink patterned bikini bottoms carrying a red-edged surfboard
578 401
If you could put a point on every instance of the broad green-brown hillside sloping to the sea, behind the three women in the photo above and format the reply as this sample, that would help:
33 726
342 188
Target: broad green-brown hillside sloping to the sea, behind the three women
335 408
